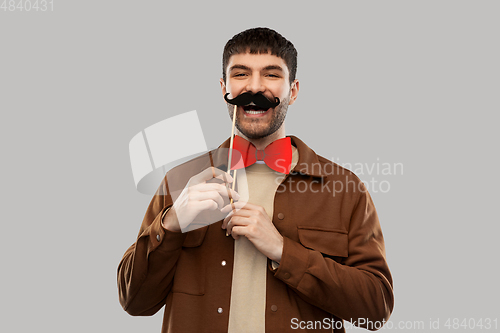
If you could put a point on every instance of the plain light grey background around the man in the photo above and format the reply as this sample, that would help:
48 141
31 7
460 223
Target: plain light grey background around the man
411 82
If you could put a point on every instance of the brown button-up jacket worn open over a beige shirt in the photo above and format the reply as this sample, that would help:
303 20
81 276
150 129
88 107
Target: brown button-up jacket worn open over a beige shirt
333 266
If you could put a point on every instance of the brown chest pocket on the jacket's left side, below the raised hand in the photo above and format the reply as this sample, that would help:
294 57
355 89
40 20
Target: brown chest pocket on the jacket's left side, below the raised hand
189 275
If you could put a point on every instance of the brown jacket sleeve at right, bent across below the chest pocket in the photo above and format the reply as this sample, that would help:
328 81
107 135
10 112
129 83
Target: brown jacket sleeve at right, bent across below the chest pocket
359 289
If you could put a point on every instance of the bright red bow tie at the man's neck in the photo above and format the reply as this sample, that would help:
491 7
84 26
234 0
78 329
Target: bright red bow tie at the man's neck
277 155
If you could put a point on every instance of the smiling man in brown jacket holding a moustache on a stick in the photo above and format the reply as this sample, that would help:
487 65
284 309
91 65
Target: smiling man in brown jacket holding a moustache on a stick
304 252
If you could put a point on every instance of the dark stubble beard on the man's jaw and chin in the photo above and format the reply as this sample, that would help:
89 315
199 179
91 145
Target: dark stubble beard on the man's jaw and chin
252 130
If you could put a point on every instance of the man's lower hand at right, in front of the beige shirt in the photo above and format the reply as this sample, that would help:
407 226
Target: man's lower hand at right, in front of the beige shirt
252 221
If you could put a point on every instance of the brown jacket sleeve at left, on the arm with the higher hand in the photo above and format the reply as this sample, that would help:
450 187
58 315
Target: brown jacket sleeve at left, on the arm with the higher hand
146 271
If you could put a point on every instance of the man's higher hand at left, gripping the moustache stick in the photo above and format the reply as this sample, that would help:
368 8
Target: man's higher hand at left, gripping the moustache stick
197 196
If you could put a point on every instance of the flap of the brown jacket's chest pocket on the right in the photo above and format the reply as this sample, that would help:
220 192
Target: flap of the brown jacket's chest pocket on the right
331 242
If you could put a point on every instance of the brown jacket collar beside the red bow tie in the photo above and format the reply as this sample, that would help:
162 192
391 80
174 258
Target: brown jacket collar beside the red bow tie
308 163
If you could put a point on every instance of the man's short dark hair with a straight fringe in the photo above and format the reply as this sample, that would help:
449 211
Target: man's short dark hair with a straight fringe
261 40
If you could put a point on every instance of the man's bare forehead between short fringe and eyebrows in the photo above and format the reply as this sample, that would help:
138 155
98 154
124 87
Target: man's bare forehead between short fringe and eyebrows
257 61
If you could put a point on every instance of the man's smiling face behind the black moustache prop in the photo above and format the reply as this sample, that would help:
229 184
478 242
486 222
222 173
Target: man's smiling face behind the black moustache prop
263 73
